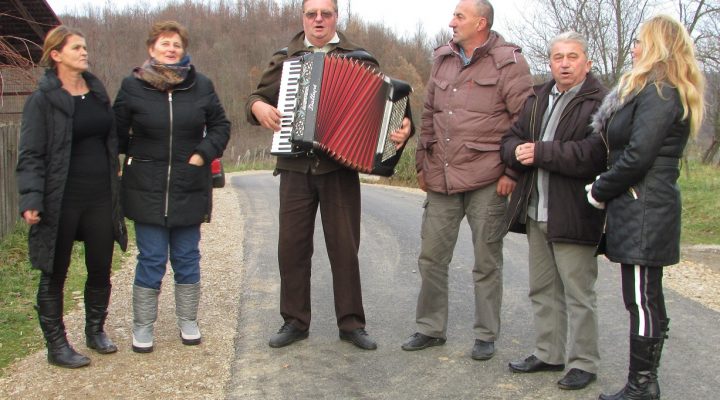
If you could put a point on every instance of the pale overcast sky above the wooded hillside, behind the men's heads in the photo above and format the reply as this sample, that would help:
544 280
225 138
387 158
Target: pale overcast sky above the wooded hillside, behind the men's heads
401 15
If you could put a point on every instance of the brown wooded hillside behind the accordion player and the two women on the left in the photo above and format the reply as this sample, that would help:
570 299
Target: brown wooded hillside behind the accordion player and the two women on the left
231 42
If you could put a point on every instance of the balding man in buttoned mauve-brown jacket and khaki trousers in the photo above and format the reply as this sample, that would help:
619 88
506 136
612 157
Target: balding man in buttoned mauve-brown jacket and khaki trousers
477 87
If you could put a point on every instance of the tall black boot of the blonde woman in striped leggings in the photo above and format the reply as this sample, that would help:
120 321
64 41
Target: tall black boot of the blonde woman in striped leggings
644 357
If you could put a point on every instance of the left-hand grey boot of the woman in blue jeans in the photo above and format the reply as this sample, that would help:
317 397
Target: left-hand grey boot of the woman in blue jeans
144 315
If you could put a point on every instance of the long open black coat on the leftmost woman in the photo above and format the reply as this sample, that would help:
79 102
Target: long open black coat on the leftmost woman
44 161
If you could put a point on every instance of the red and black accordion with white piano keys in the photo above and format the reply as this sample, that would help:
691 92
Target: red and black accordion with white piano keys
337 105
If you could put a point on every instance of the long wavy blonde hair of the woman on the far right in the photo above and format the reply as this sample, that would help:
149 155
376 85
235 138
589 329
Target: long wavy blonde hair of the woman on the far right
668 55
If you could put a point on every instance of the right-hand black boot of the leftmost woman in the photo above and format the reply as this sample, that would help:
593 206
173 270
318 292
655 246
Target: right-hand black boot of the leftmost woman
96 304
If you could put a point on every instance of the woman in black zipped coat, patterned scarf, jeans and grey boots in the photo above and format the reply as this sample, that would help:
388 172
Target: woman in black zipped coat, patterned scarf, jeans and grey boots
171 126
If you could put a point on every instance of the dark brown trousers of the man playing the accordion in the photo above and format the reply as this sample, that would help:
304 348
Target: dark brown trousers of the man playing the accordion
338 195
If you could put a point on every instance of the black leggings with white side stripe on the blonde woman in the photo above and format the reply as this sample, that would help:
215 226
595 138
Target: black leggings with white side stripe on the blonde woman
644 299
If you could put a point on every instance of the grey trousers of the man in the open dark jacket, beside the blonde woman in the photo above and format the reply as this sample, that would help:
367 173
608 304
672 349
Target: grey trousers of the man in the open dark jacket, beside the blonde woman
562 292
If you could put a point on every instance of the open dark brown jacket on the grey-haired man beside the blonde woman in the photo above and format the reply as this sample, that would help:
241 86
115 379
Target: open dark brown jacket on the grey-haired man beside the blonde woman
571 158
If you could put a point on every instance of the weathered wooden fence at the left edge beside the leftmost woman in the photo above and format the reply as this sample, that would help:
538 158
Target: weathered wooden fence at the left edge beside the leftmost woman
9 137
